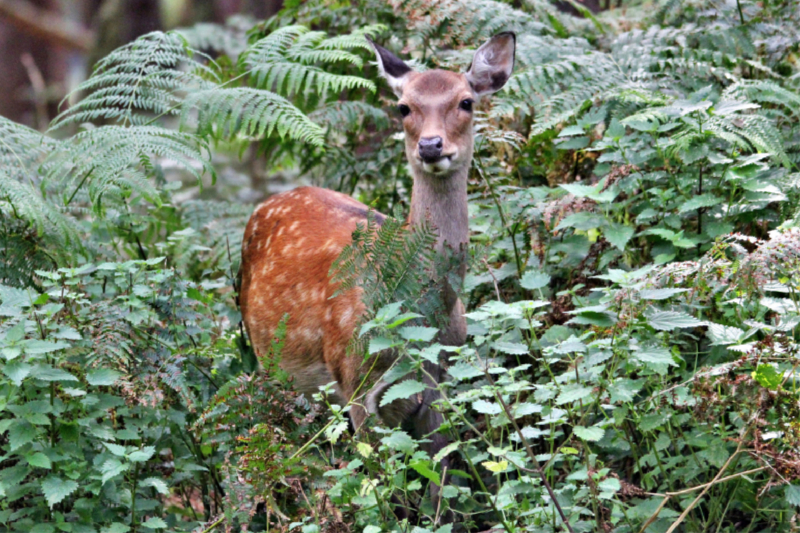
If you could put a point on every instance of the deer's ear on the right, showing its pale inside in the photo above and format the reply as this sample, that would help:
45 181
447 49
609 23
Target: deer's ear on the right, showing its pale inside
492 64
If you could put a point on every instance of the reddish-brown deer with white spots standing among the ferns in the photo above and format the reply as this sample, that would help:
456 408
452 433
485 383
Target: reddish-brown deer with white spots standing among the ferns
292 239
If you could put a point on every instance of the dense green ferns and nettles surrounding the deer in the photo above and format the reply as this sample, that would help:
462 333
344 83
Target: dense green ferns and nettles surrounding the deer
633 297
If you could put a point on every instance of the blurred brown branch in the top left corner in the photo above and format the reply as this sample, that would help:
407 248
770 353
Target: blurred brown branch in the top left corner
45 24
